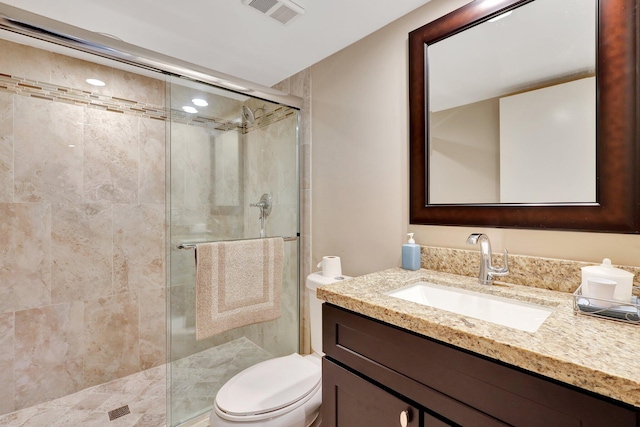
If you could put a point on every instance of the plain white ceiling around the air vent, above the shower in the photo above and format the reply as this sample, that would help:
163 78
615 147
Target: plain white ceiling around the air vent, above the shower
226 35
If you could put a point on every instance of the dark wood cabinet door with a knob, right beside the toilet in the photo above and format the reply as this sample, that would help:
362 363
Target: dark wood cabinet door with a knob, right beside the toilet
350 401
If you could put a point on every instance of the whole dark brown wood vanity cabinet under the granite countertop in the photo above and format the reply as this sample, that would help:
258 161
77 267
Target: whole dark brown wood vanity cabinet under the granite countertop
373 371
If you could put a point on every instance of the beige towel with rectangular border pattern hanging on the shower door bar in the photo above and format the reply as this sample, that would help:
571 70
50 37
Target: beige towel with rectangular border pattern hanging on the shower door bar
238 283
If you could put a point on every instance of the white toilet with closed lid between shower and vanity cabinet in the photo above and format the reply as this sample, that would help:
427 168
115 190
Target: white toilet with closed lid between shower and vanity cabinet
281 392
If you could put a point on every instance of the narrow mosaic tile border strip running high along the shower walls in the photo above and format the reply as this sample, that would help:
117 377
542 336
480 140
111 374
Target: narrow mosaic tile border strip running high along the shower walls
68 95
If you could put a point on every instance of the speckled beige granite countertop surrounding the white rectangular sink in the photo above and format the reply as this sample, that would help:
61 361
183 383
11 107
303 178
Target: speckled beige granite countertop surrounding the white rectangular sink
599 355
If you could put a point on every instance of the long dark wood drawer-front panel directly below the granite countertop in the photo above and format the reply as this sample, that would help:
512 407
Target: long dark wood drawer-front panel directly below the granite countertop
459 386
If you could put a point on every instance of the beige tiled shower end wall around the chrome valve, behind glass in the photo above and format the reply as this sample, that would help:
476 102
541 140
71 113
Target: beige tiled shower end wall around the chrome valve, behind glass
270 167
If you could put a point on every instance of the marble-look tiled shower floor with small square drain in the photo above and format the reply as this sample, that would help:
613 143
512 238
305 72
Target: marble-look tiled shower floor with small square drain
196 380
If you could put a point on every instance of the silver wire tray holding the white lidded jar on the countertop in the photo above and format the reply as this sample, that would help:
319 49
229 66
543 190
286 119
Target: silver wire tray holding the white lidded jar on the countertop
617 310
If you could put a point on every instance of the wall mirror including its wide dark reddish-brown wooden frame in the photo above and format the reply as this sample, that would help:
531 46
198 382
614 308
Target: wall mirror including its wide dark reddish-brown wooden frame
558 138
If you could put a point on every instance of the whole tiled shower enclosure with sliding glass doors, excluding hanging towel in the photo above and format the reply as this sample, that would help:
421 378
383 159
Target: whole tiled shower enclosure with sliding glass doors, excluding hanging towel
100 188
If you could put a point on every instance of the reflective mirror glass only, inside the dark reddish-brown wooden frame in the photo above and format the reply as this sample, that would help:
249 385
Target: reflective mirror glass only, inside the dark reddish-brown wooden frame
524 121
